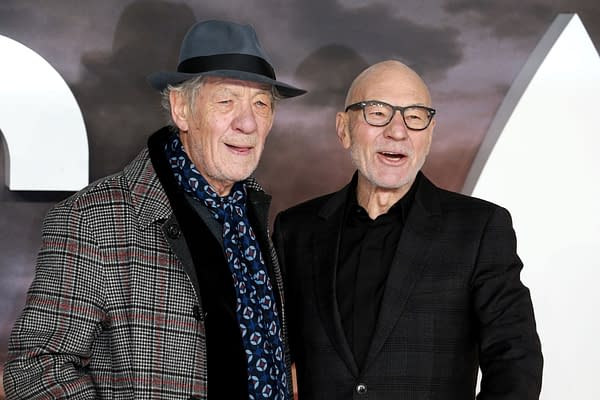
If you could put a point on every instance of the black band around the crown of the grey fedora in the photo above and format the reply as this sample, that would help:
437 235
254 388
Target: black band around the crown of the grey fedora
238 62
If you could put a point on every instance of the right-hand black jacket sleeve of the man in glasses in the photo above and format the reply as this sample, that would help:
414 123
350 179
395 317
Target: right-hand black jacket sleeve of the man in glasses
510 351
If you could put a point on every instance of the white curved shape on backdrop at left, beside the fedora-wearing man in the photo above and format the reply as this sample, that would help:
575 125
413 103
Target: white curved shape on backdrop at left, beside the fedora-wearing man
45 140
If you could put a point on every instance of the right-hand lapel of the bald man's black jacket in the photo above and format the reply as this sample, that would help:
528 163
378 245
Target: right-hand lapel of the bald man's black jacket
411 257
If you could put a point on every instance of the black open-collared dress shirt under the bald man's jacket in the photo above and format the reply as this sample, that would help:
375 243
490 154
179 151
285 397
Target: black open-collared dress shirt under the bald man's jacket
366 251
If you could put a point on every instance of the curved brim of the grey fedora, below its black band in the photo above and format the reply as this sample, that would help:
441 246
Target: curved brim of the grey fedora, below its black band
160 80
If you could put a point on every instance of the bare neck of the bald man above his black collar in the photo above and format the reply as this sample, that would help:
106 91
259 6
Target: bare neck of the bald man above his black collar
377 200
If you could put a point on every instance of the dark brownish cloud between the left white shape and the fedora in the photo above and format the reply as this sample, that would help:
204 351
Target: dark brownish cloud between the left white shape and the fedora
120 108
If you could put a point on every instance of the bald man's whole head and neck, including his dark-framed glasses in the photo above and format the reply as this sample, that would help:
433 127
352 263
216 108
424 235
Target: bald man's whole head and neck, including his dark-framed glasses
386 152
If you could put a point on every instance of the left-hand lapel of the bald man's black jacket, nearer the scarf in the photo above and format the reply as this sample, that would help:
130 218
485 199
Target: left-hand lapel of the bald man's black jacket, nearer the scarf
325 247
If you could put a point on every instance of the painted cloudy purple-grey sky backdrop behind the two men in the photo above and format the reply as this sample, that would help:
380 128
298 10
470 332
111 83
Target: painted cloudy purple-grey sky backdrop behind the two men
468 51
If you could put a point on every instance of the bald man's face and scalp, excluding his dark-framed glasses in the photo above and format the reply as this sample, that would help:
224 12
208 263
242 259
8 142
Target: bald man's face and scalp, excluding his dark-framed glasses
389 157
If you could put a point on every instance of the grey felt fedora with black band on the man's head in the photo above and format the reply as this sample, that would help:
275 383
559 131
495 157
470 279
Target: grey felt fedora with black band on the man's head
226 49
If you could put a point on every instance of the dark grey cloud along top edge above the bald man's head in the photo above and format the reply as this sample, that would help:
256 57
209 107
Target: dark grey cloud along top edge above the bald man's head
375 32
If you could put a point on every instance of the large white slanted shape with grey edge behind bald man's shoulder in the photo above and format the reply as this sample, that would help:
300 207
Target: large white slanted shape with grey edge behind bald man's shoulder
540 160
